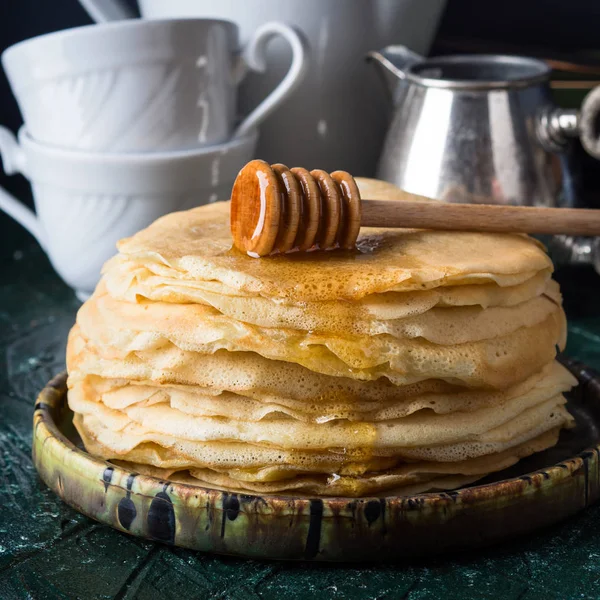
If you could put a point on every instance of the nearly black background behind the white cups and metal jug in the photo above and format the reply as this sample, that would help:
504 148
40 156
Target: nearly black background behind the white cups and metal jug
560 29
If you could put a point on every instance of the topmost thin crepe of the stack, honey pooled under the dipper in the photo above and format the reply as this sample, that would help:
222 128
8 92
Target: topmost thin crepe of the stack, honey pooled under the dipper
196 245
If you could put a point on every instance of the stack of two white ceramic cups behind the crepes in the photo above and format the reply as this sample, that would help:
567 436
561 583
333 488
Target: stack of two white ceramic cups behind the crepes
127 121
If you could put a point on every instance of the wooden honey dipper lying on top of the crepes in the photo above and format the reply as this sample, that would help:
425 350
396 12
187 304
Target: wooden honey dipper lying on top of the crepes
275 210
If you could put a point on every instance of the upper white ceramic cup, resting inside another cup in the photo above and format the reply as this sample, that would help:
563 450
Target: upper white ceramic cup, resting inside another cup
138 86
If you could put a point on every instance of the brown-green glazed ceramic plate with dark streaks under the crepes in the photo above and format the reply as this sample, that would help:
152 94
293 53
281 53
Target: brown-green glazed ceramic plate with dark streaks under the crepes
540 490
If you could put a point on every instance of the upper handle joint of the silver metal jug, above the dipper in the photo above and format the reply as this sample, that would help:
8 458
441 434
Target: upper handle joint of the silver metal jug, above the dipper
557 125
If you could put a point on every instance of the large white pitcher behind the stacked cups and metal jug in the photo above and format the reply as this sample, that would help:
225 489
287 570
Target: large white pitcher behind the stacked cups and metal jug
337 119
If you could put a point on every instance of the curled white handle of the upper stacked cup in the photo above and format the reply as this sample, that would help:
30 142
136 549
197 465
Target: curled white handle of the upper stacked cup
254 57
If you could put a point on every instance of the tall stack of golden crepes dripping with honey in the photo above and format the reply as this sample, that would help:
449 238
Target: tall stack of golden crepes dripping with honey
421 361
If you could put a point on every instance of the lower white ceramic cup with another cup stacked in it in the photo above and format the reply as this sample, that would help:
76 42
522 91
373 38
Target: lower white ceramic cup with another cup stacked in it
86 202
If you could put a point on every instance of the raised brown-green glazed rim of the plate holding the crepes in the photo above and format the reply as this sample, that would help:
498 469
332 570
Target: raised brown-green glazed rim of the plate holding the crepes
56 458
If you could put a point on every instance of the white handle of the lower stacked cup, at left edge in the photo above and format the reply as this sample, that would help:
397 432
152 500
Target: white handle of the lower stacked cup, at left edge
13 161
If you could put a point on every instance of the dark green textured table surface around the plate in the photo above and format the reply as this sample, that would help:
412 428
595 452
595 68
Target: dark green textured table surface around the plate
49 551
